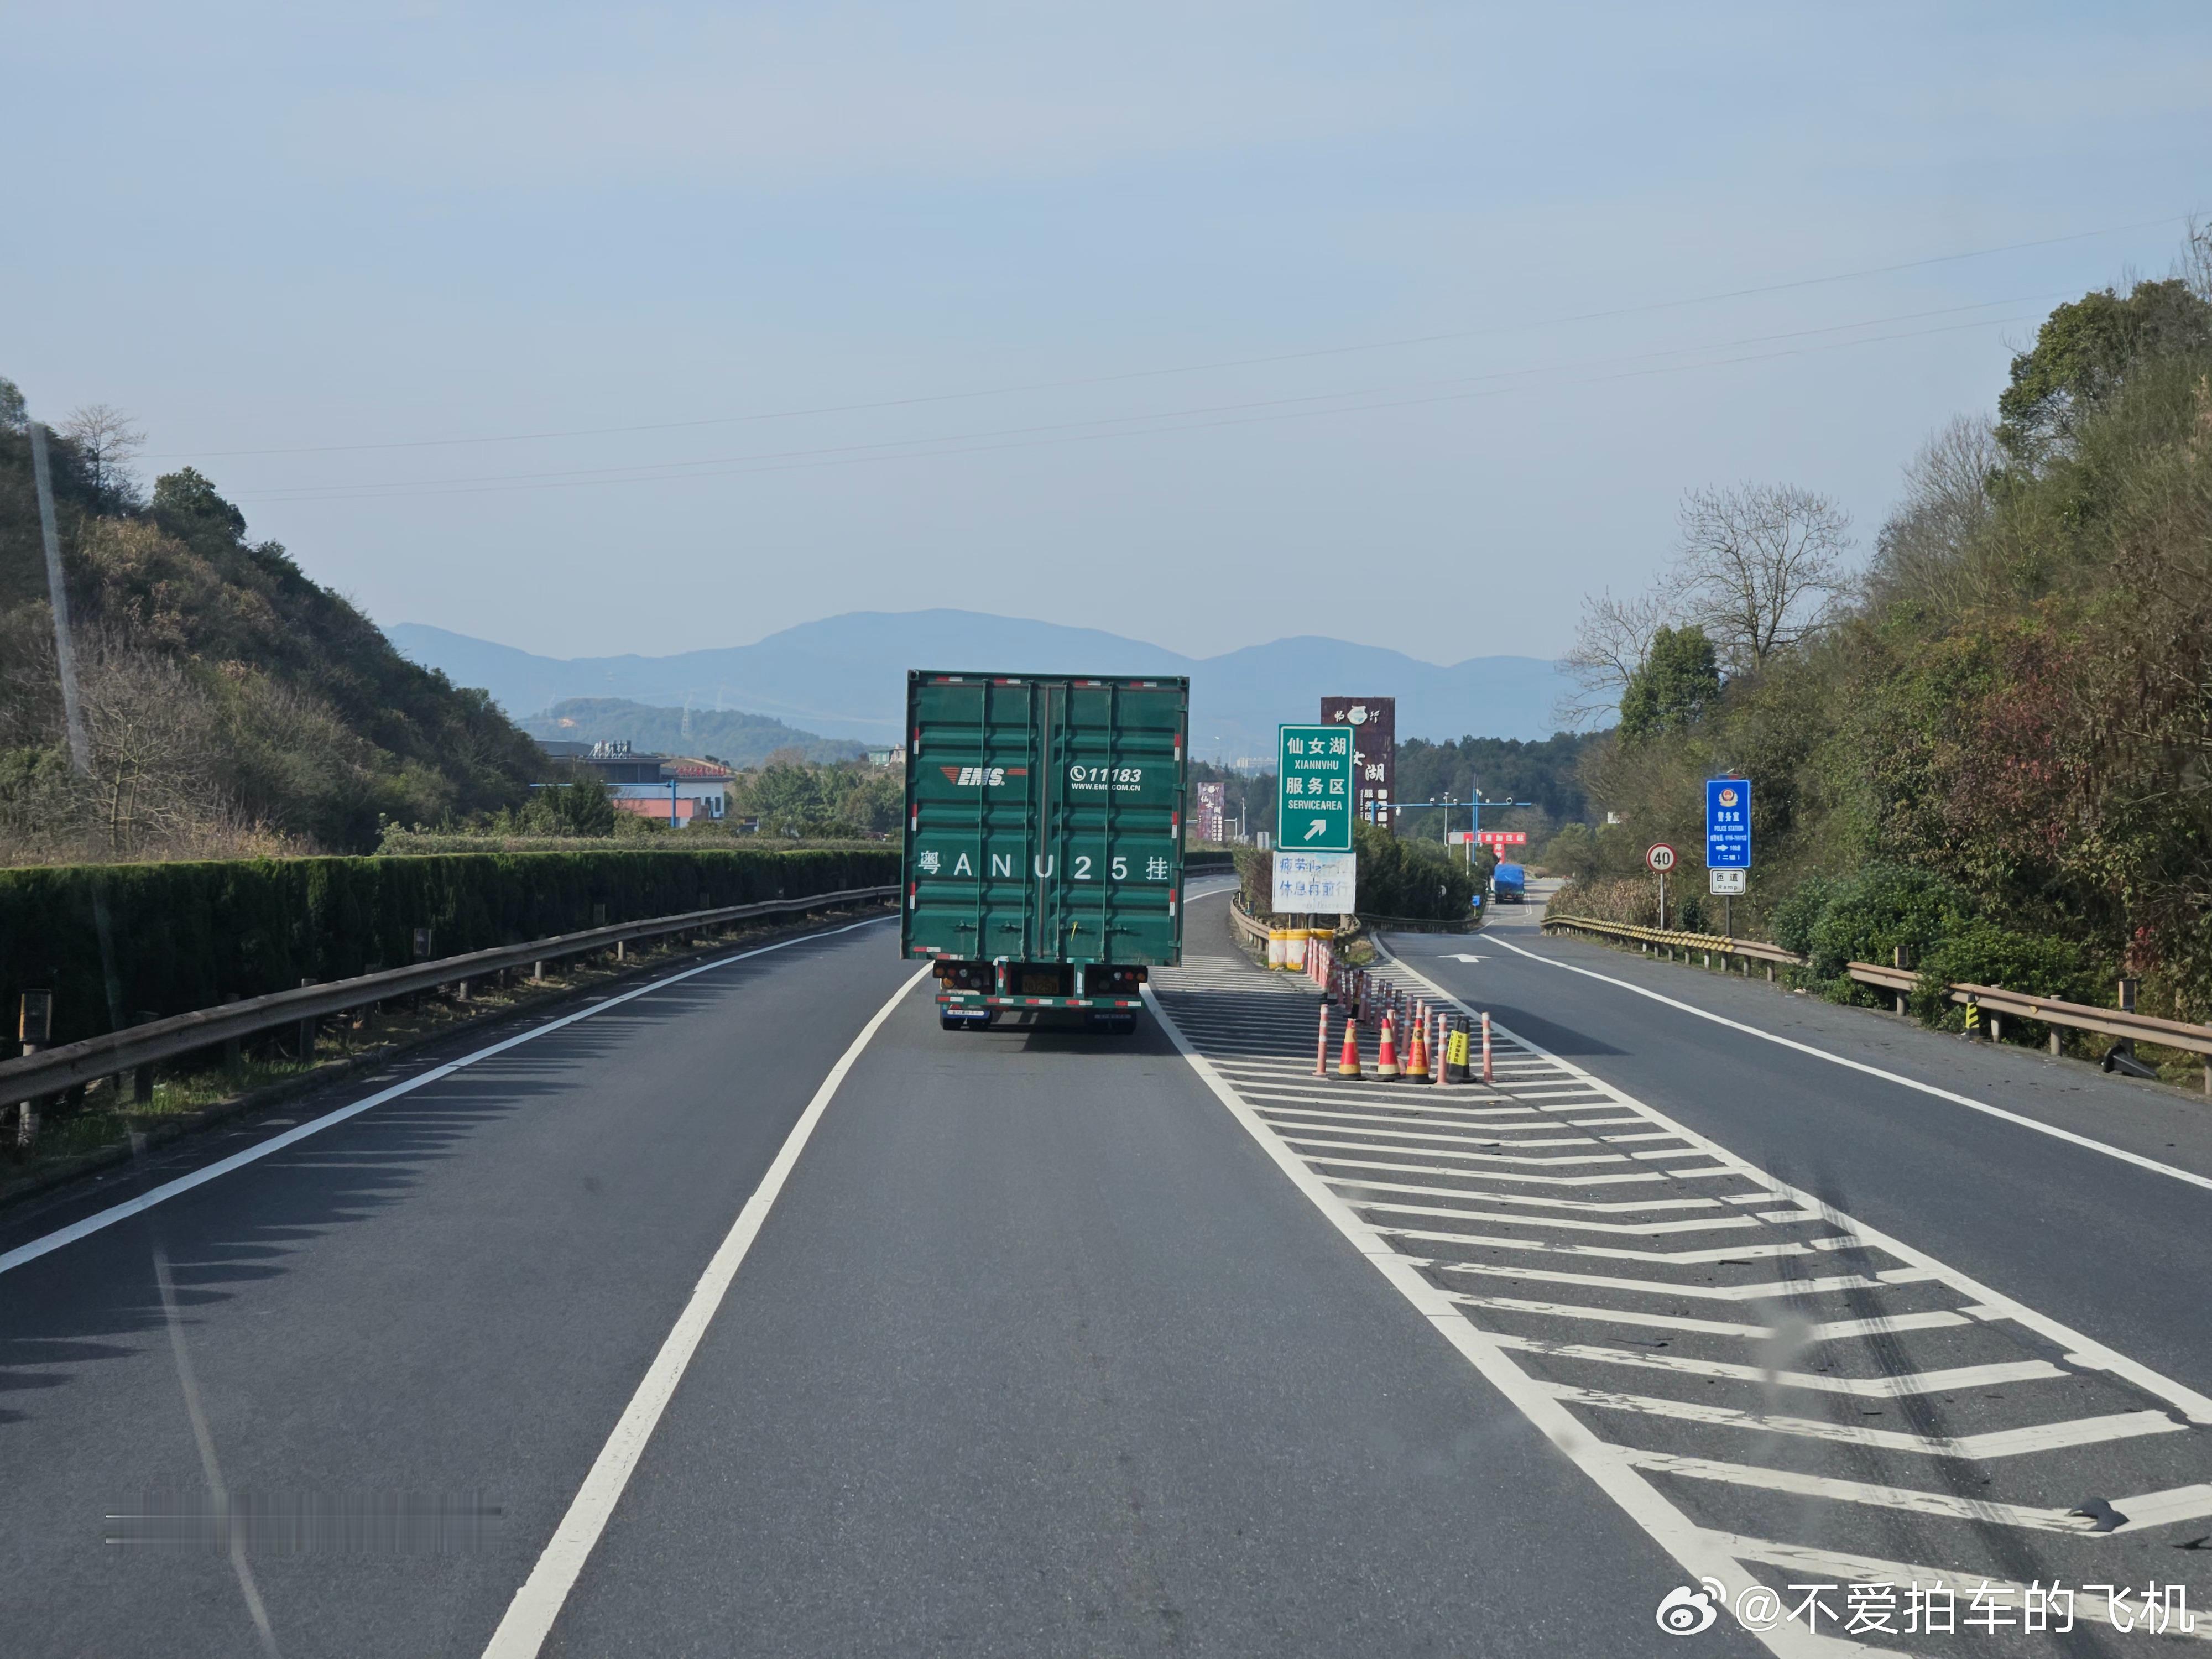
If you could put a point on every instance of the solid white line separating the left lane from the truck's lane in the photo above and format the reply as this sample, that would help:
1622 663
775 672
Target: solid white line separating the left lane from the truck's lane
539 1603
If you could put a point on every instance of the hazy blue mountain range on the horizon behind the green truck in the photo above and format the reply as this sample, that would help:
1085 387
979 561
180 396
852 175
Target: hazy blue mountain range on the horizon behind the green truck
846 678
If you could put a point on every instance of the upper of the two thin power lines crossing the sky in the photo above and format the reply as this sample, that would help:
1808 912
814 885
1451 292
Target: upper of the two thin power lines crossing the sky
1182 368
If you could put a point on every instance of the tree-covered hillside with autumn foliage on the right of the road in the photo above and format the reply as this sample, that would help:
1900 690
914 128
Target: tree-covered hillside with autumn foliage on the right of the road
1996 751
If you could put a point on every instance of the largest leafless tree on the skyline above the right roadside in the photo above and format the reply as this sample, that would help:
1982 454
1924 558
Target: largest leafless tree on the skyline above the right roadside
1762 567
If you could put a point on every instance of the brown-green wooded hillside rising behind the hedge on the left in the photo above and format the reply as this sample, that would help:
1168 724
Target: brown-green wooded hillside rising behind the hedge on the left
231 702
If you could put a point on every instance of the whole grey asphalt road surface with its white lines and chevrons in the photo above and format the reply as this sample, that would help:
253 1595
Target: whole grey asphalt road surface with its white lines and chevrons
758 1315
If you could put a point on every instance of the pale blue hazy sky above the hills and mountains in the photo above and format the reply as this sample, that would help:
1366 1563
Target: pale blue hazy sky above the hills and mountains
1200 324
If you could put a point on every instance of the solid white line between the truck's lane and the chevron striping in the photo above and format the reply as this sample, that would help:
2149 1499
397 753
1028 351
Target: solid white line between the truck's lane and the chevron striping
1691 1547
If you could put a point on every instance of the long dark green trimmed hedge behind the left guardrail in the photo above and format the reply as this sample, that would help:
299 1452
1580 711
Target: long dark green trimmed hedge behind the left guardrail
191 935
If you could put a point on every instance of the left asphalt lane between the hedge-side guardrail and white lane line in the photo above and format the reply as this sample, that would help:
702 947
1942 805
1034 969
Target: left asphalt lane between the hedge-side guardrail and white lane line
448 1297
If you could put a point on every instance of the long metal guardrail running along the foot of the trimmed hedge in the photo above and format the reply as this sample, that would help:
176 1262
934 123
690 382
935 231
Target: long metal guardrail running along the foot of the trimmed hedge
81 1063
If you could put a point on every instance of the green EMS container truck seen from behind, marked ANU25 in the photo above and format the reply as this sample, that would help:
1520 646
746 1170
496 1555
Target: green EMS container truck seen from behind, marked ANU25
1045 844
